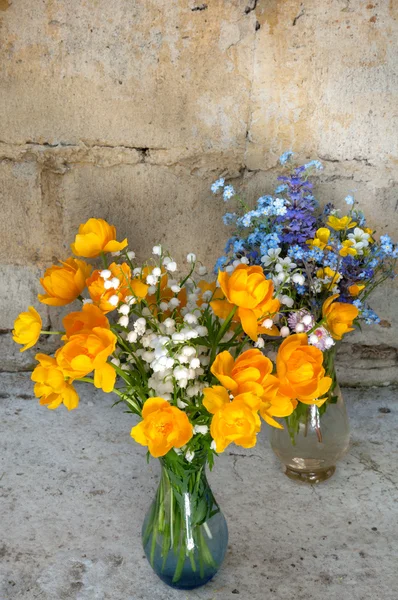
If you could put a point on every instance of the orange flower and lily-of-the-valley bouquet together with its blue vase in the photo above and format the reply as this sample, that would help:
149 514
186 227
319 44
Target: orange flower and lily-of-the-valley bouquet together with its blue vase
177 350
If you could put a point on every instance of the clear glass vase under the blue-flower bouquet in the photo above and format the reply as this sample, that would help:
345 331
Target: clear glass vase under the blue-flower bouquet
313 439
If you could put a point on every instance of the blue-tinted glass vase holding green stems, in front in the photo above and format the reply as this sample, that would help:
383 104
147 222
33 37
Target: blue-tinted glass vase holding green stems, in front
184 534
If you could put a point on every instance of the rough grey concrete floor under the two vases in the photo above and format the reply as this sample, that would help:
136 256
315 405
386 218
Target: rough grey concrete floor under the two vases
74 489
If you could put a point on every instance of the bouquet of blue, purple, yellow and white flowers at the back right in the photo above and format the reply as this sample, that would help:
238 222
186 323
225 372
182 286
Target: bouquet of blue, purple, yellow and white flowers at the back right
323 265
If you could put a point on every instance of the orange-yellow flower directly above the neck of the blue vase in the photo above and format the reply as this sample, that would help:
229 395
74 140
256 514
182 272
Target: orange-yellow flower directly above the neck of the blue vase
163 427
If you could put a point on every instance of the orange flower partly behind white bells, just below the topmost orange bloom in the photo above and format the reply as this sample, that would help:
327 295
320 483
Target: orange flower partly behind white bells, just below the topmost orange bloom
100 295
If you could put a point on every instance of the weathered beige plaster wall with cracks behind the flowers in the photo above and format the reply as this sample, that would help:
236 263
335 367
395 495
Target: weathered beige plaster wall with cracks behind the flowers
128 110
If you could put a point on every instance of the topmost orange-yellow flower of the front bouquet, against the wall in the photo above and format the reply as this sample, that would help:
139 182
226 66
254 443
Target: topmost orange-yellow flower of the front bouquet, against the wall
94 237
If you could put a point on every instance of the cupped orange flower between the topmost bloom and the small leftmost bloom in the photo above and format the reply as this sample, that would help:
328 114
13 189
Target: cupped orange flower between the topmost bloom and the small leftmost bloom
64 284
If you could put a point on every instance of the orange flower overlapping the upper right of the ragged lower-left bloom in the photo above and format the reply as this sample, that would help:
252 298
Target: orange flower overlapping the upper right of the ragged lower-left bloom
86 352
